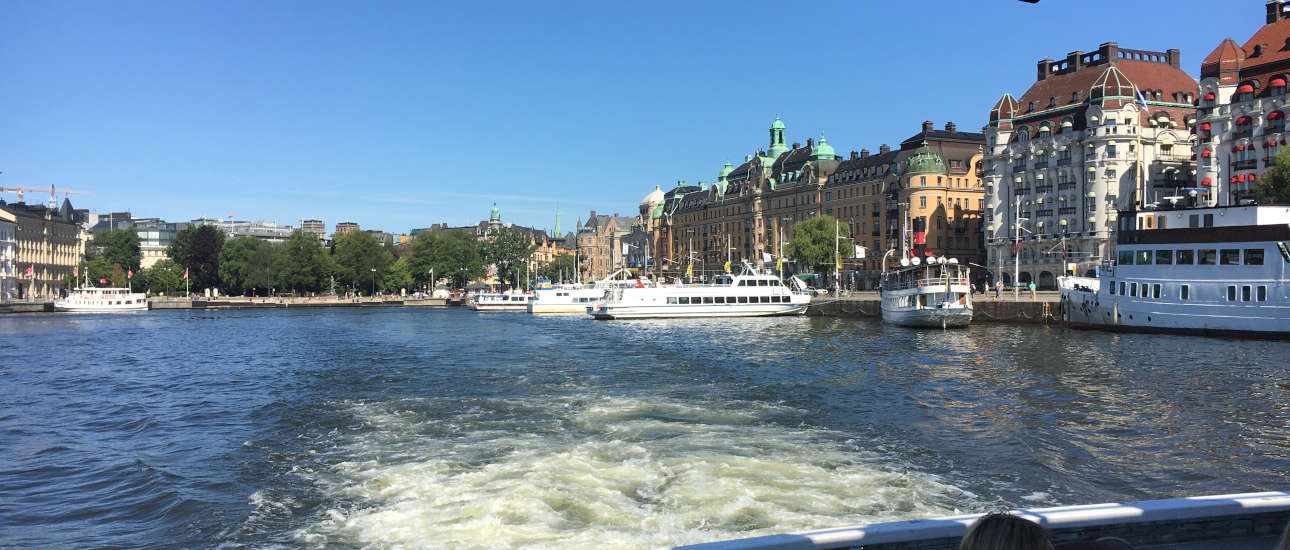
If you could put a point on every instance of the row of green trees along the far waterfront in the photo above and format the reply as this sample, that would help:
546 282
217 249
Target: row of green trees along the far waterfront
355 263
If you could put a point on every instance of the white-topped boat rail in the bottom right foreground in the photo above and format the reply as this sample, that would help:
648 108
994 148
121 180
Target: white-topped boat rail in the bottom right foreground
1249 521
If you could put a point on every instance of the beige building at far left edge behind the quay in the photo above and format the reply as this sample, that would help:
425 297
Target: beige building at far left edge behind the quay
51 242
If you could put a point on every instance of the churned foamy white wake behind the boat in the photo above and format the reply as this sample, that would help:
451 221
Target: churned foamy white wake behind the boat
621 473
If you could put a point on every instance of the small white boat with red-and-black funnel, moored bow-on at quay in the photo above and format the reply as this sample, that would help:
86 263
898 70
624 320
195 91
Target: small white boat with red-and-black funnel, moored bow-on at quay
932 292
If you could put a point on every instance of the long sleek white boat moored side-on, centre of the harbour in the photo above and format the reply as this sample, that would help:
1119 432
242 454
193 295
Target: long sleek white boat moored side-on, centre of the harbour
750 294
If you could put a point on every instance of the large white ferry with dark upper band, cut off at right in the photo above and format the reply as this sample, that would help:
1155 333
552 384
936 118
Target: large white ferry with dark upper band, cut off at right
1216 272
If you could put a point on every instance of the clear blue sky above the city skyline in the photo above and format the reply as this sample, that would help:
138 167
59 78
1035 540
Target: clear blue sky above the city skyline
399 116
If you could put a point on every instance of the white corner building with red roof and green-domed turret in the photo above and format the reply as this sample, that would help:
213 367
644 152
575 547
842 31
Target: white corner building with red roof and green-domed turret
1078 148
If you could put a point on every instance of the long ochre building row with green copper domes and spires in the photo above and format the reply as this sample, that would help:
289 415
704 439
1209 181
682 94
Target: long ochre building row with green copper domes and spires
749 214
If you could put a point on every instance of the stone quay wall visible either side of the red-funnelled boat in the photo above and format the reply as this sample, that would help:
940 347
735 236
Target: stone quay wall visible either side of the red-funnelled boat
1040 309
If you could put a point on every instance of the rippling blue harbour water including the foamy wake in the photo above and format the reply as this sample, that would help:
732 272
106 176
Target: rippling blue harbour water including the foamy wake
417 428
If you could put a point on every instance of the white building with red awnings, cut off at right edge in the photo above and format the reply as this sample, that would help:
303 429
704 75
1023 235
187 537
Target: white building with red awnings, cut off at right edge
1242 110
